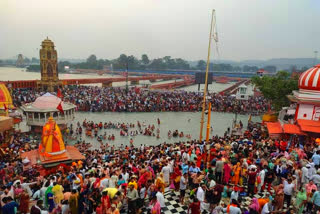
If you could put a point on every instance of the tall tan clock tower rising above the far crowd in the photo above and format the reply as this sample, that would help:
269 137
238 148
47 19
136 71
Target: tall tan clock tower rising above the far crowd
49 67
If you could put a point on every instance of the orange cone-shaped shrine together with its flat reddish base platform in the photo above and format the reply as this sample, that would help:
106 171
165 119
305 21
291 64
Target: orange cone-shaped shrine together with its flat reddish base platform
52 150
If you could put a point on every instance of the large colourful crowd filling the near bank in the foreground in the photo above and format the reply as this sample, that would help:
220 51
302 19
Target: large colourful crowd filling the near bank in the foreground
251 174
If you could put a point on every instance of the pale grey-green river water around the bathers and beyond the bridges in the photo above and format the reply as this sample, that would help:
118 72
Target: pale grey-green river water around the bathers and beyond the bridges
187 122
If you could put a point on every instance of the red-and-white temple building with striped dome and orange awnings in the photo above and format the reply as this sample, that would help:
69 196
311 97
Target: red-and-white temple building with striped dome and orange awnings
302 117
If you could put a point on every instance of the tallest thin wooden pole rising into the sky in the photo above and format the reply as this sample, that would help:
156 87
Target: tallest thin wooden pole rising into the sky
206 81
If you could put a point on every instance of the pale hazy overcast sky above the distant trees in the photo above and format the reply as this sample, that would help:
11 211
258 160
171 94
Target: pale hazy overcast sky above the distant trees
247 29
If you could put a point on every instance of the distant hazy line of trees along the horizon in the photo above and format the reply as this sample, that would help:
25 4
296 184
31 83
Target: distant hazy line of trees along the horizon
145 63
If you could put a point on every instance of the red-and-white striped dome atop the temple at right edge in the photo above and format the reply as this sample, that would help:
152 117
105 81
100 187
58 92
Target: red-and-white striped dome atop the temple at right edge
310 79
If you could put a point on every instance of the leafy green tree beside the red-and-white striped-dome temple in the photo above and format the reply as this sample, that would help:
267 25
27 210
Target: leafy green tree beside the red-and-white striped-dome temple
276 88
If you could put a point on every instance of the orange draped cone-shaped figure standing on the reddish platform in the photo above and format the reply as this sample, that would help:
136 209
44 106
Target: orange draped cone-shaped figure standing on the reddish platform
52 141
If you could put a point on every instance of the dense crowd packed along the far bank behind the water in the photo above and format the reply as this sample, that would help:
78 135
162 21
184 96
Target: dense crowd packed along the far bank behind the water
97 99
